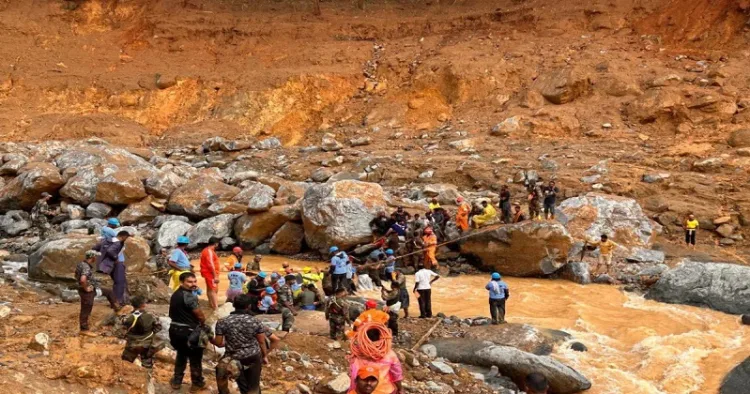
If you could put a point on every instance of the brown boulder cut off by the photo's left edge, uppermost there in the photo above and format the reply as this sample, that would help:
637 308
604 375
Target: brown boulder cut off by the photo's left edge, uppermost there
26 189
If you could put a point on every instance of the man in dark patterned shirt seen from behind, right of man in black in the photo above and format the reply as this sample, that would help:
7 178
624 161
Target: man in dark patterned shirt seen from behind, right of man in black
244 338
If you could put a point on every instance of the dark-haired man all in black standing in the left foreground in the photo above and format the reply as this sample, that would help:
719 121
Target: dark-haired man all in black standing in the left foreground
186 317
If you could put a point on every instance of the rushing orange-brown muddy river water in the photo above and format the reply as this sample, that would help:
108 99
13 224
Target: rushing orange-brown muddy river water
635 345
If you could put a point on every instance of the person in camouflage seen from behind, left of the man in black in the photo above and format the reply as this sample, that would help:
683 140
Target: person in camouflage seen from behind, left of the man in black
141 328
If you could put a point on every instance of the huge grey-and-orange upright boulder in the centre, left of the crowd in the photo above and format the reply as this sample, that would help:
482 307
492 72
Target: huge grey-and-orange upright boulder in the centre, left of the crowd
340 213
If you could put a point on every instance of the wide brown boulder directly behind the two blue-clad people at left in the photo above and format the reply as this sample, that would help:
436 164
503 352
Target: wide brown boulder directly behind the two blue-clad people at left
57 259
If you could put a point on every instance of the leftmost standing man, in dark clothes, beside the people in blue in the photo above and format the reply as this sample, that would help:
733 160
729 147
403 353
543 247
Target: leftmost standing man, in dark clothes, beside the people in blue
88 288
